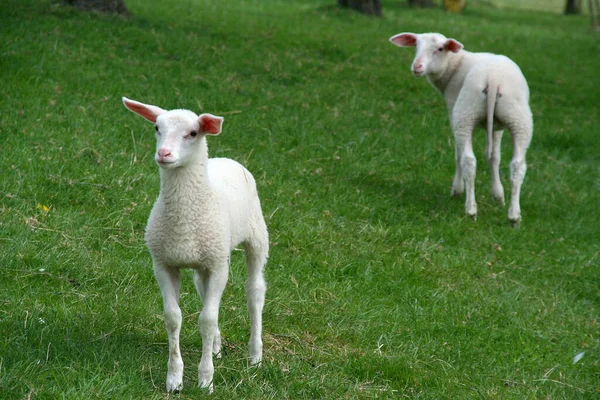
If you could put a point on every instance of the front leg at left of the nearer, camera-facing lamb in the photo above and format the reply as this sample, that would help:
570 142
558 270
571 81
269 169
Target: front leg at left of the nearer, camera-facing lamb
168 280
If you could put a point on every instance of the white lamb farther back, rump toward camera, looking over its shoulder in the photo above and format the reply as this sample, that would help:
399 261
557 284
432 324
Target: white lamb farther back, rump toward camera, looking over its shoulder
480 89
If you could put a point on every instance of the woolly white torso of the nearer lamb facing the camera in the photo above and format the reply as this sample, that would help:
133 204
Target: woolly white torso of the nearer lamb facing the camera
200 214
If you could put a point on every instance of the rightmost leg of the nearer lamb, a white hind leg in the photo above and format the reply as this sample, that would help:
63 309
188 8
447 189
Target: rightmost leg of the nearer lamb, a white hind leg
256 257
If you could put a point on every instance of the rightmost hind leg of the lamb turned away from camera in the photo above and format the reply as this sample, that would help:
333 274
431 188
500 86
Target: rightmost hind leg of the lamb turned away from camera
518 167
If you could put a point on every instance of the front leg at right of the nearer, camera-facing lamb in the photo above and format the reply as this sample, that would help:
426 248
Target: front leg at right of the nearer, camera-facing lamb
214 282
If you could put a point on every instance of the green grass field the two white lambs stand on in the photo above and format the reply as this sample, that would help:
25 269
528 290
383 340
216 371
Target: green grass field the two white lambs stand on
379 287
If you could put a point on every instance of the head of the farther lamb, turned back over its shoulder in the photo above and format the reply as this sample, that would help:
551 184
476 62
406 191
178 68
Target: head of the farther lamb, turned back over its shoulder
432 51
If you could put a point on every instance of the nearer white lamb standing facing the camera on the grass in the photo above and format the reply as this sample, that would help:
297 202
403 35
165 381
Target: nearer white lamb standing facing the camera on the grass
204 209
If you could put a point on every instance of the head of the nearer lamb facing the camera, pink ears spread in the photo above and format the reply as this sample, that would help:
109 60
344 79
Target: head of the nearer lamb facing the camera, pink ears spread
179 133
